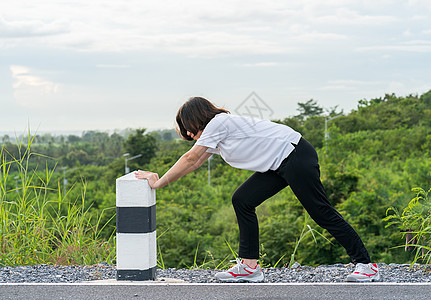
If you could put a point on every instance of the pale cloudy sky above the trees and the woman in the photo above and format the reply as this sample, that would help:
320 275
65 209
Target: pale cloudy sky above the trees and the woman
108 65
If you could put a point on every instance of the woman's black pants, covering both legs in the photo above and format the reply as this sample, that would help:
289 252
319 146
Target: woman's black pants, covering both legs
300 170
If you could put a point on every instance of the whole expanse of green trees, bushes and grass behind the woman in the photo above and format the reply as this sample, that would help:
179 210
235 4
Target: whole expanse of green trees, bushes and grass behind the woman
57 202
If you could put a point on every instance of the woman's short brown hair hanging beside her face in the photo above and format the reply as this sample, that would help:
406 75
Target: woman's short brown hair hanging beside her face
194 115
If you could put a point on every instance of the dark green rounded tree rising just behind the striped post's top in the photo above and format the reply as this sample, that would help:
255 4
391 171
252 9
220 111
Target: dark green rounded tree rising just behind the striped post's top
141 143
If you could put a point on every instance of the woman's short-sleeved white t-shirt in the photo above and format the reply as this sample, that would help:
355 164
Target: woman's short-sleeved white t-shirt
249 143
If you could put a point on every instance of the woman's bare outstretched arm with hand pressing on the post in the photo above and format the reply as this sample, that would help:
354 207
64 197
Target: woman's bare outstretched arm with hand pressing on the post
187 163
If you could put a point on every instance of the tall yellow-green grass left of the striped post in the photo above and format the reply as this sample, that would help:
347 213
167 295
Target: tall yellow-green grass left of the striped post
39 224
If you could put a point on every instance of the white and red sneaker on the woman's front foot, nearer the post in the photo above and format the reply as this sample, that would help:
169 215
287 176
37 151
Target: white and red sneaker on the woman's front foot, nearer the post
241 272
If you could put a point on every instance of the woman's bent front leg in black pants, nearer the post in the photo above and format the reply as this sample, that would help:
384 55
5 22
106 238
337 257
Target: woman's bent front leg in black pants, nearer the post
255 190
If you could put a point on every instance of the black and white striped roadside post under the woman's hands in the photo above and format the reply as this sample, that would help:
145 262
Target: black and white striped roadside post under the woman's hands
136 229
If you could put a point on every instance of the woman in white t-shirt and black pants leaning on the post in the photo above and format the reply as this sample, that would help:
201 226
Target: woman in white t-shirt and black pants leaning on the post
280 157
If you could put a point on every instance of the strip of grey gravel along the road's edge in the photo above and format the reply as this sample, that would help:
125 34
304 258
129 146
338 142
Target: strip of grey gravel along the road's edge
297 273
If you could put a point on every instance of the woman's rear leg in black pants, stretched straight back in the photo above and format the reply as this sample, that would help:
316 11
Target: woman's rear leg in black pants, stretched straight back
301 171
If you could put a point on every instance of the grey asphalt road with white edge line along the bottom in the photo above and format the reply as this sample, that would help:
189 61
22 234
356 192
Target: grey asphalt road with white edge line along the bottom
215 291
